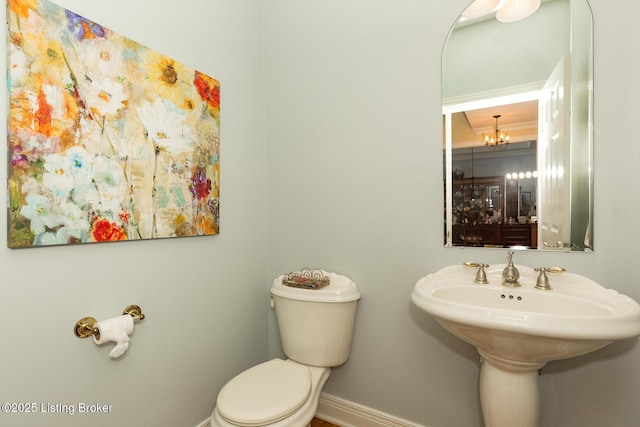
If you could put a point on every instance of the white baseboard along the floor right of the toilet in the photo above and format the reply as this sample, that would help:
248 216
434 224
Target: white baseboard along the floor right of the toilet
349 414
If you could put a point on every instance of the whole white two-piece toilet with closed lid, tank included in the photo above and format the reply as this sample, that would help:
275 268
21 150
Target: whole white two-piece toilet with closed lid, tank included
316 327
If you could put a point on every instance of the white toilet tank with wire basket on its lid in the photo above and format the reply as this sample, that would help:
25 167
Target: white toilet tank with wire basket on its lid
316 325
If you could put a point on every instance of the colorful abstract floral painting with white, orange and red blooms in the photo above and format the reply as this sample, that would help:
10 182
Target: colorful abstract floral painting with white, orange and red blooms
108 140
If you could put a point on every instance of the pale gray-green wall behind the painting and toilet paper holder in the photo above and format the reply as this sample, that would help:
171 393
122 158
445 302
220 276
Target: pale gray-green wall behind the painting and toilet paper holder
205 298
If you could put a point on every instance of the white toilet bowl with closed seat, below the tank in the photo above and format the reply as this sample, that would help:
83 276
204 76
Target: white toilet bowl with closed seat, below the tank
277 393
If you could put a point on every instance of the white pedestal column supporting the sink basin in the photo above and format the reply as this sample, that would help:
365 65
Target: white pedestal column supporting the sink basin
509 392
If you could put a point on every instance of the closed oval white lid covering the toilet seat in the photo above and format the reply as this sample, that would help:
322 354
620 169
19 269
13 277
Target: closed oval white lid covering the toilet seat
265 393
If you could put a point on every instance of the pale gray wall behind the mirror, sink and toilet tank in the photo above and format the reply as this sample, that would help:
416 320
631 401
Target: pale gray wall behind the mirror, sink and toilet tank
355 185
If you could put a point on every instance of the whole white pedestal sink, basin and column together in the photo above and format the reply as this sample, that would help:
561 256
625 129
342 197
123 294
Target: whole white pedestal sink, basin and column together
517 330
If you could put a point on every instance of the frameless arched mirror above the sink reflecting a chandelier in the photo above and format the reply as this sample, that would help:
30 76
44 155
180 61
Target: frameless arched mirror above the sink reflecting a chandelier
517 87
